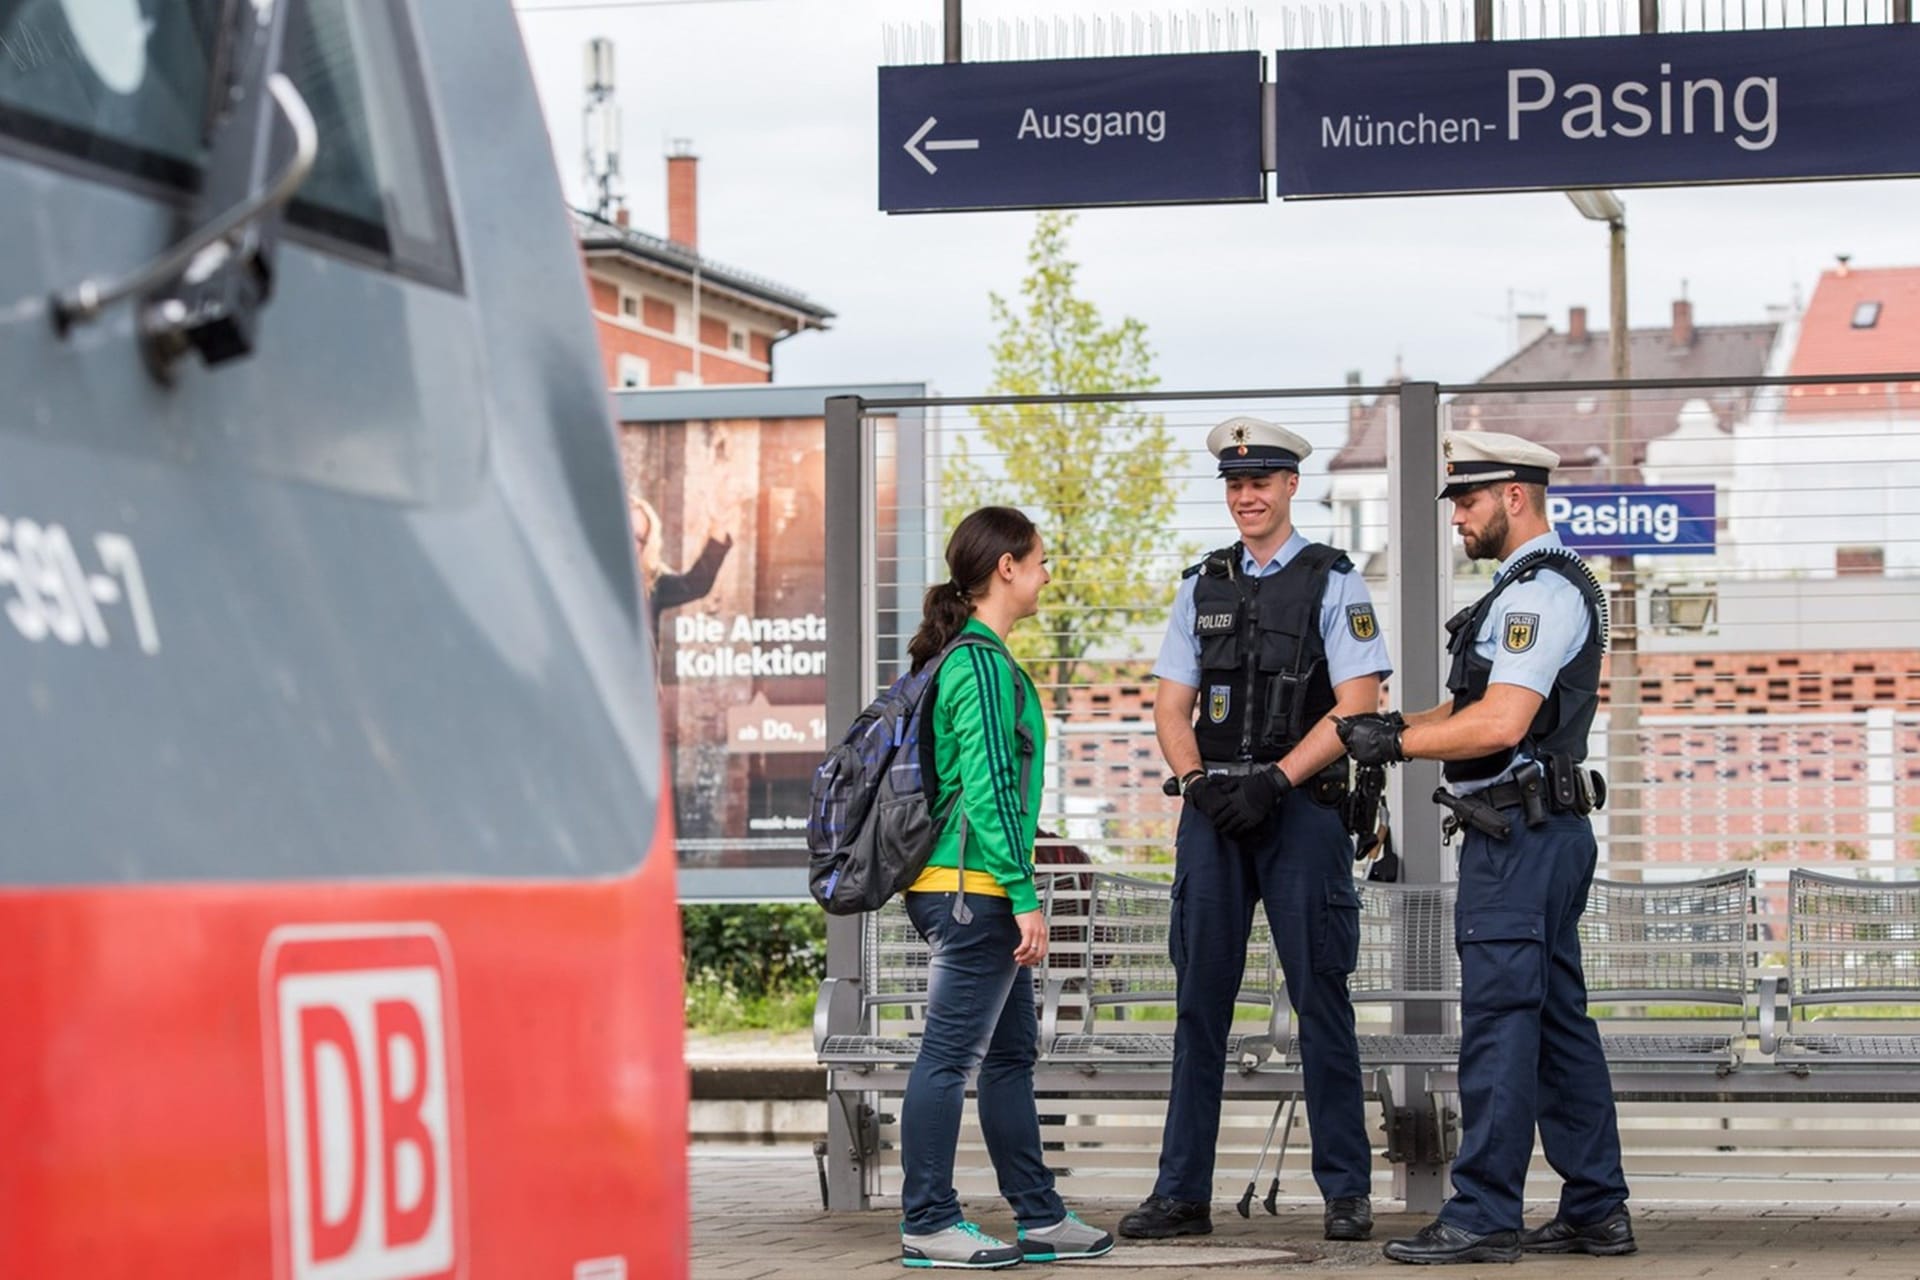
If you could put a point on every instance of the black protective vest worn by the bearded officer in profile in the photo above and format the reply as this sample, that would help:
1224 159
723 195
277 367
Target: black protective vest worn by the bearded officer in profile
1568 713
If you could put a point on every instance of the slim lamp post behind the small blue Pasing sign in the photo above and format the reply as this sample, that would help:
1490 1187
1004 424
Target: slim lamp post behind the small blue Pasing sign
1623 719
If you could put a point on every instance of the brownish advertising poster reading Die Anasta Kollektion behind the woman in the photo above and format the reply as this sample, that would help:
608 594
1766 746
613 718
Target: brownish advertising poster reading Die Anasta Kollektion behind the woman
731 533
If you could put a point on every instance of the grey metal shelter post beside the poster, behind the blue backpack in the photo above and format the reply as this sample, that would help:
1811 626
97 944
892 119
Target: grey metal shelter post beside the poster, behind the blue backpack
846 684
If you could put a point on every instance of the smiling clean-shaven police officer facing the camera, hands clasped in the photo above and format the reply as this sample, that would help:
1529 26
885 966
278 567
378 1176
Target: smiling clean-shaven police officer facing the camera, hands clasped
1268 636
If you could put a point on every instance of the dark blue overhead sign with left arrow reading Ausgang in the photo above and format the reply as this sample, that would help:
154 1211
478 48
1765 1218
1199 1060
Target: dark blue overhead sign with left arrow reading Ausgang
1088 131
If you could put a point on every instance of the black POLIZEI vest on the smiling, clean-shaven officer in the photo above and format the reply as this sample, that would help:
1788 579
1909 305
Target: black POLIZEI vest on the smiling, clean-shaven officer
1262 659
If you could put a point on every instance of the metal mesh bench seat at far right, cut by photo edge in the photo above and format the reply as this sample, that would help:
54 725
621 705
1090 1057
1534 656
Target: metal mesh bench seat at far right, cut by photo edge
1852 945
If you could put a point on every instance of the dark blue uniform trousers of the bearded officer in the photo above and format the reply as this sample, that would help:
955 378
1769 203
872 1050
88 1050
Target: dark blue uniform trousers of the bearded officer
1529 1051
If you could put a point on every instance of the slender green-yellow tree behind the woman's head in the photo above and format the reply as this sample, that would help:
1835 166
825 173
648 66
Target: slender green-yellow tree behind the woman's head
1099 475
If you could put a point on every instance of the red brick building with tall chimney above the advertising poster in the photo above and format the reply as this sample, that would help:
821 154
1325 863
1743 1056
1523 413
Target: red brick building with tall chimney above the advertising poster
671 318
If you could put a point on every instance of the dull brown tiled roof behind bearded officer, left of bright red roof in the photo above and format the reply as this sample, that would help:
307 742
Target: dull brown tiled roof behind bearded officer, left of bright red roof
1575 423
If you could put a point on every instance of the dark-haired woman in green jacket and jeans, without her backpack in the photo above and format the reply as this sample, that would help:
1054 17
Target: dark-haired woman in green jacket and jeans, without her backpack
980 914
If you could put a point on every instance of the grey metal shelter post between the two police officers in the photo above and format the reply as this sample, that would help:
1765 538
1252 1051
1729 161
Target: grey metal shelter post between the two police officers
1418 569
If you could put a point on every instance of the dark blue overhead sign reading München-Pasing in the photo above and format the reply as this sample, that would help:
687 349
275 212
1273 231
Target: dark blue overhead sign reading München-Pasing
1748 107
